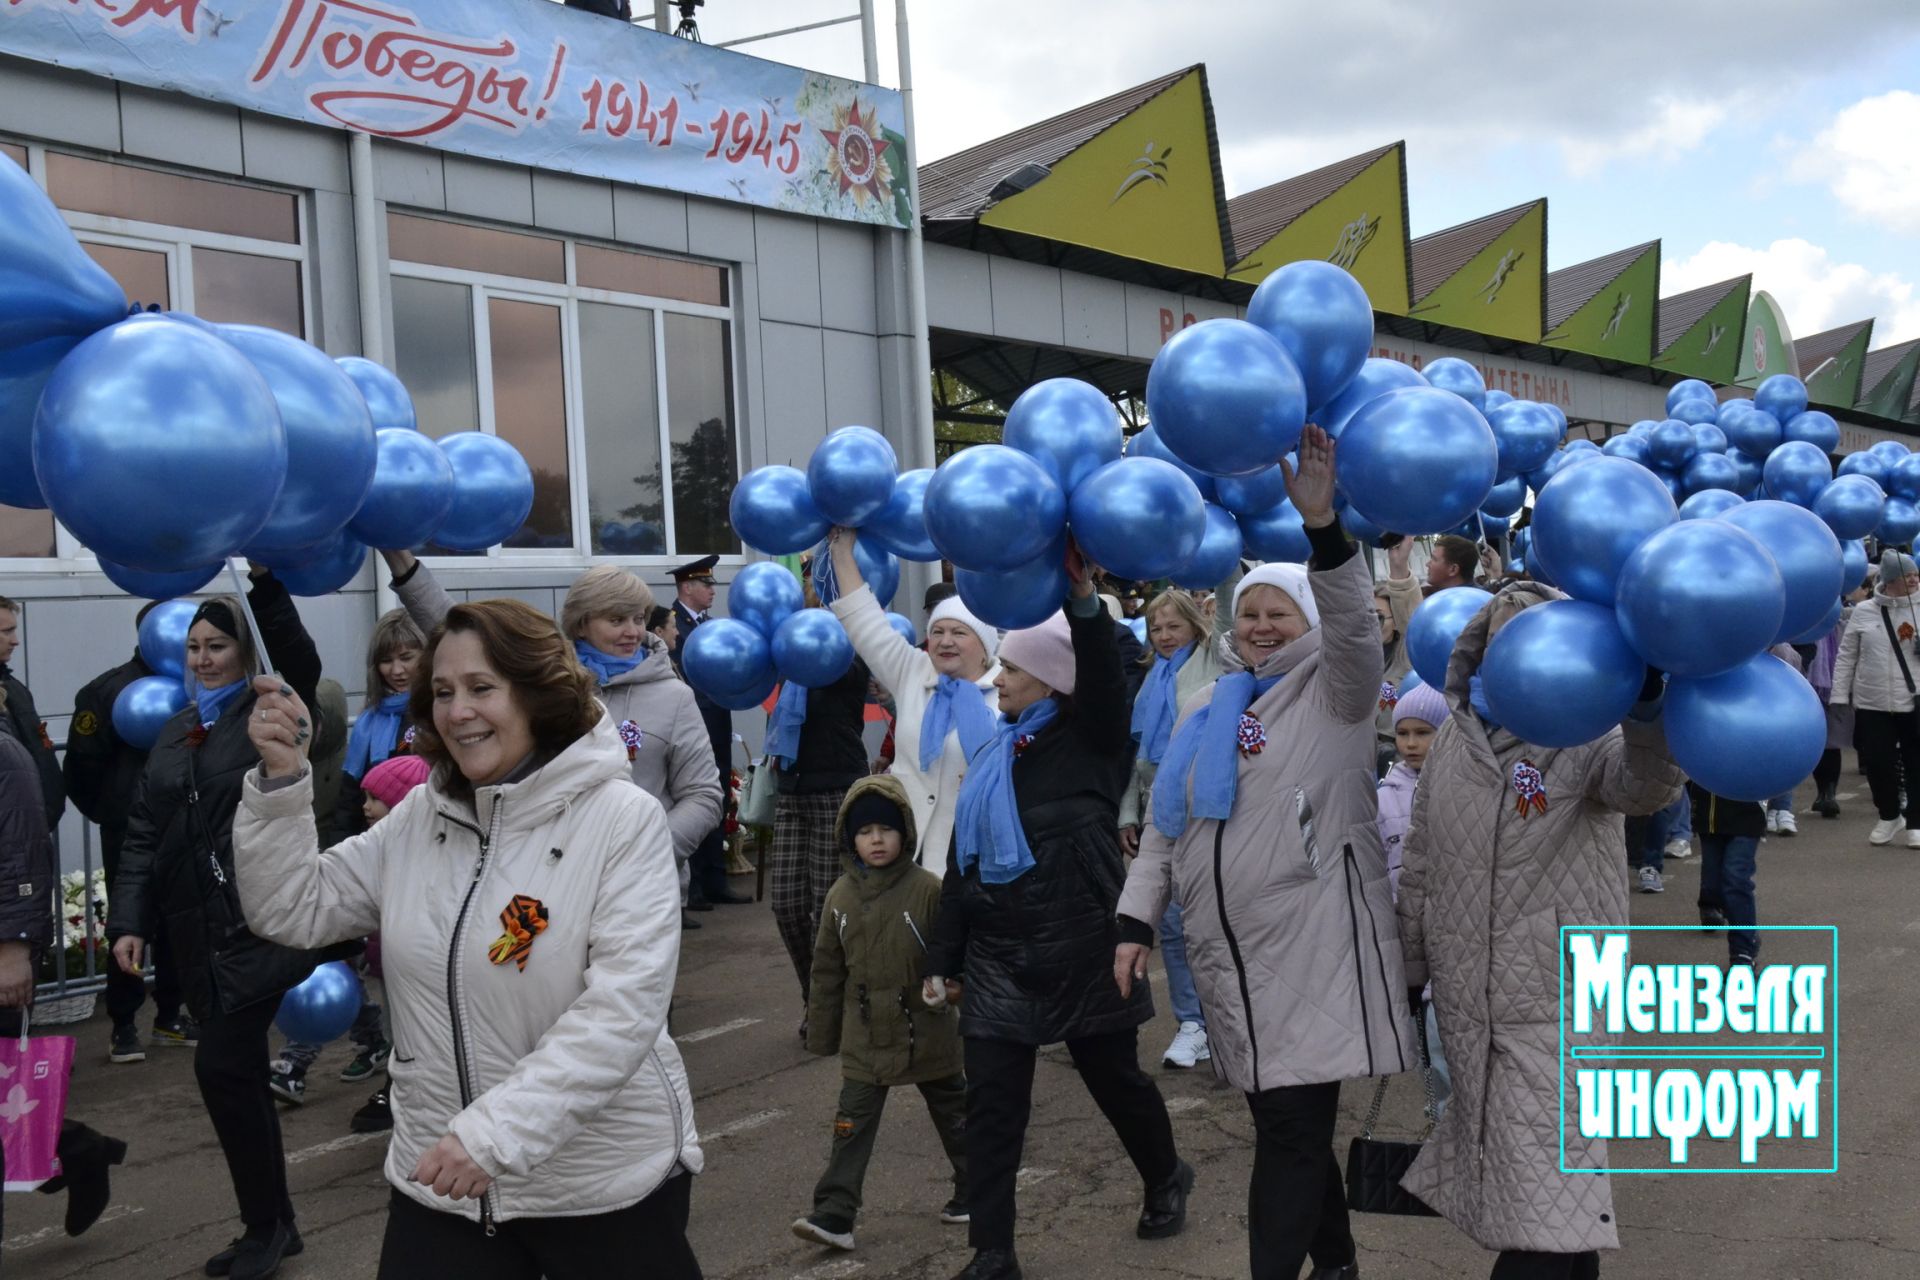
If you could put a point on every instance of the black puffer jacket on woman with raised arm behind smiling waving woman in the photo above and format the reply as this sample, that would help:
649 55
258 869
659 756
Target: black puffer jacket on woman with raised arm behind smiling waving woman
178 866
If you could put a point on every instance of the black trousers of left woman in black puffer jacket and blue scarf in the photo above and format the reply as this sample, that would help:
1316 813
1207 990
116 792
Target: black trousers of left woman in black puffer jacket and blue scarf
231 1066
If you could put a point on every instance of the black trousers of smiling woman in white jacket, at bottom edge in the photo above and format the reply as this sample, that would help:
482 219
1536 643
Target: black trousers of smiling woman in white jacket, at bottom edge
640 1243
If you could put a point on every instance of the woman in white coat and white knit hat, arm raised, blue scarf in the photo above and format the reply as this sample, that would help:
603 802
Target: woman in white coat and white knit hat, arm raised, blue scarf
944 699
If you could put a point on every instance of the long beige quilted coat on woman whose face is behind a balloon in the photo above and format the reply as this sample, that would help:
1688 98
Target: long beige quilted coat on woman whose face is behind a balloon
1483 895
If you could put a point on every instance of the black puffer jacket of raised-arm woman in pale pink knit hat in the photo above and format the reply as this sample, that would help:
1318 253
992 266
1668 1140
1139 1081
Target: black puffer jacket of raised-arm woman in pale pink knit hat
1038 955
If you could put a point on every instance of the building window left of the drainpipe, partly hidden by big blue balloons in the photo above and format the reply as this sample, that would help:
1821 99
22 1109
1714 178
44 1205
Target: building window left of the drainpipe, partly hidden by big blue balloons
220 250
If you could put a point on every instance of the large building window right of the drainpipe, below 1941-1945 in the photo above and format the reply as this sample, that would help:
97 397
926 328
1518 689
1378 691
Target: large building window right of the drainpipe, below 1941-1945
610 369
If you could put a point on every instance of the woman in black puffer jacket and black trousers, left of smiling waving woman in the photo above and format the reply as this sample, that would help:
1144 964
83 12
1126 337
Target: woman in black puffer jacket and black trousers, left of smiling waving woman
178 874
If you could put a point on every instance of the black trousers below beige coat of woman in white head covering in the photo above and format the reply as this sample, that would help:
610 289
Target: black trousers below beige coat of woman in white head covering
1297 1200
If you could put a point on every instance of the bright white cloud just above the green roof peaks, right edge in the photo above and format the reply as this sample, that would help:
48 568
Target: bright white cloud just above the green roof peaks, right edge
1815 291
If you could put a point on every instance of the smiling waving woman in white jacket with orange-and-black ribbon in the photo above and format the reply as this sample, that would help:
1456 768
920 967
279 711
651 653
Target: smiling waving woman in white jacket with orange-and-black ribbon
529 916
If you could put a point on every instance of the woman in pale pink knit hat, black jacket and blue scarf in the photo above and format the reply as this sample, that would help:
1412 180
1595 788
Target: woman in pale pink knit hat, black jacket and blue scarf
1028 920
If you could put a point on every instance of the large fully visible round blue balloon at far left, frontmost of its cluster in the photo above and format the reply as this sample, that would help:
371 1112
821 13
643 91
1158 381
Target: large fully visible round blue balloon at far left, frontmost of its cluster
160 446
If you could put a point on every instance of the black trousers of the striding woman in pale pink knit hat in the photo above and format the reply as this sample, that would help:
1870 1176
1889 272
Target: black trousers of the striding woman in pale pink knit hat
999 1099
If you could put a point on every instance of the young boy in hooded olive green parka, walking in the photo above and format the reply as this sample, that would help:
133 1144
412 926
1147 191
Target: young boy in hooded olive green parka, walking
865 1005
